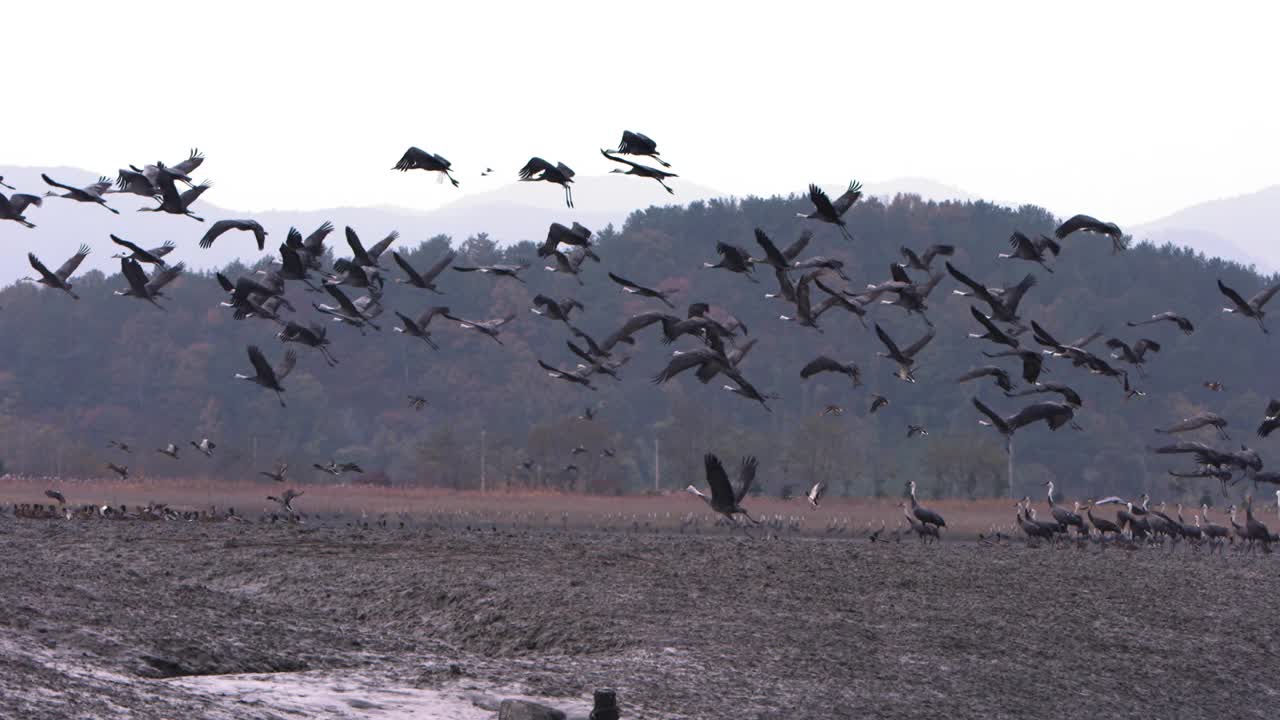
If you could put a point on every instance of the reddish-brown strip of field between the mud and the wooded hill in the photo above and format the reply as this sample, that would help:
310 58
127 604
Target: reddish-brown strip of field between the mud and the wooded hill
510 509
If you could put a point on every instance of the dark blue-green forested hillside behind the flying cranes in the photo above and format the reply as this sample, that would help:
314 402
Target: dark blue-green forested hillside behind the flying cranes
75 375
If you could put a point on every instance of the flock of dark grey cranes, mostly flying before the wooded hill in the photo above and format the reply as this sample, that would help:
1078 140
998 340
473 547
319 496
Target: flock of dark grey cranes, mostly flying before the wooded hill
807 286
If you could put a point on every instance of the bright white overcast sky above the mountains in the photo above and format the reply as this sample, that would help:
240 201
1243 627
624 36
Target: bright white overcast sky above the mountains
1122 111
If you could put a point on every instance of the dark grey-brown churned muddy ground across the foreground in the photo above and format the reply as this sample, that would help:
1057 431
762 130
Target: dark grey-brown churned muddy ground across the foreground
131 619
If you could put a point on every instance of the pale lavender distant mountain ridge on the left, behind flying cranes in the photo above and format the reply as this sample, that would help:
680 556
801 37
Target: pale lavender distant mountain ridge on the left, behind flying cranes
510 213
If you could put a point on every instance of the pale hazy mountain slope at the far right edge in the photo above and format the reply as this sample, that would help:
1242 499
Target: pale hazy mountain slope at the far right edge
1241 227
